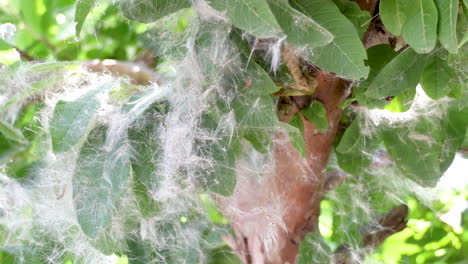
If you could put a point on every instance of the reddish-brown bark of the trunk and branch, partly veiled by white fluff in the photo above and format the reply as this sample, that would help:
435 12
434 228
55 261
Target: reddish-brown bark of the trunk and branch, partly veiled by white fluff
271 217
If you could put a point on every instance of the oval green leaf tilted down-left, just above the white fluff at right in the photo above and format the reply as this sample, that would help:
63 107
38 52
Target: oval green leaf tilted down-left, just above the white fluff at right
401 74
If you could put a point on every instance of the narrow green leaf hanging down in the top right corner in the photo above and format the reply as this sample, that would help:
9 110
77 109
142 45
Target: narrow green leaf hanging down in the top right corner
447 26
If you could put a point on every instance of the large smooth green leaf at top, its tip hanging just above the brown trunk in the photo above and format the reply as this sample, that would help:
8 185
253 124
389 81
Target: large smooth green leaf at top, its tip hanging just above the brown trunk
345 55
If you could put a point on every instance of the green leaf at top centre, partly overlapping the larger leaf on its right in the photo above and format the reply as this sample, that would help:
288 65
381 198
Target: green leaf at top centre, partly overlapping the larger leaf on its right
301 30
